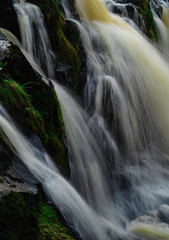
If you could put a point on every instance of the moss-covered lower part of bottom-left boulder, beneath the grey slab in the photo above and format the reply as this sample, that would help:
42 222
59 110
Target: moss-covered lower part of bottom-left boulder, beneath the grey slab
27 216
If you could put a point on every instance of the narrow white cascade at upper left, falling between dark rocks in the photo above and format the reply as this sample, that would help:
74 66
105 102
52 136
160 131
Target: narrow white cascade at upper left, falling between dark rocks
34 36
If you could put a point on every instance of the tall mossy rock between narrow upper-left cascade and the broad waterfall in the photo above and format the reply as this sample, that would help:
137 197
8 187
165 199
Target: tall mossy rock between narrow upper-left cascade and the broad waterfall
65 40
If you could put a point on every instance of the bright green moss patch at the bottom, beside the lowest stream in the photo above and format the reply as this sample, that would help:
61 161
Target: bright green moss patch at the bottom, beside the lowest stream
49 225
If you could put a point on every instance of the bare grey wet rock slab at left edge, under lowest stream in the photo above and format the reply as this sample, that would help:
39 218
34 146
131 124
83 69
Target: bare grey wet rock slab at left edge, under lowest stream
14 176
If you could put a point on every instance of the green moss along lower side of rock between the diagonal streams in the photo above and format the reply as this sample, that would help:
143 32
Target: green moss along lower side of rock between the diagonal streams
15 98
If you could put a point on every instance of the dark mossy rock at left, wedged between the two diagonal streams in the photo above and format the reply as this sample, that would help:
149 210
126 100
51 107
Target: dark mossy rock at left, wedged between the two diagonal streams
34 105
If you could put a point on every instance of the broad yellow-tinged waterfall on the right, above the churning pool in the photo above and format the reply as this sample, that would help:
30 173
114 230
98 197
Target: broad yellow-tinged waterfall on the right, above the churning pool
127 85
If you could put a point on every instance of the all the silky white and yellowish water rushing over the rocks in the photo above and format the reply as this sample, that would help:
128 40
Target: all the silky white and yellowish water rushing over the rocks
119 155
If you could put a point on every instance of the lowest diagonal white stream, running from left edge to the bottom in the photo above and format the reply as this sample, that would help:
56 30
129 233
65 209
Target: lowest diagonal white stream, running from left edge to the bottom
72 206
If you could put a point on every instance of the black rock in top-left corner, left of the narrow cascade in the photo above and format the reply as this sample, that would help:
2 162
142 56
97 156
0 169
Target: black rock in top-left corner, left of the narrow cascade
9 17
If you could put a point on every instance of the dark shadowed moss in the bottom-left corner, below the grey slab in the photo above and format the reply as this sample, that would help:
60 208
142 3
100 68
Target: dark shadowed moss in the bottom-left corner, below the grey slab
19 213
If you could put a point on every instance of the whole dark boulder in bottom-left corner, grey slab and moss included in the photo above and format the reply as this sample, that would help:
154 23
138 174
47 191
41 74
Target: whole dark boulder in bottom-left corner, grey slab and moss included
25 211
